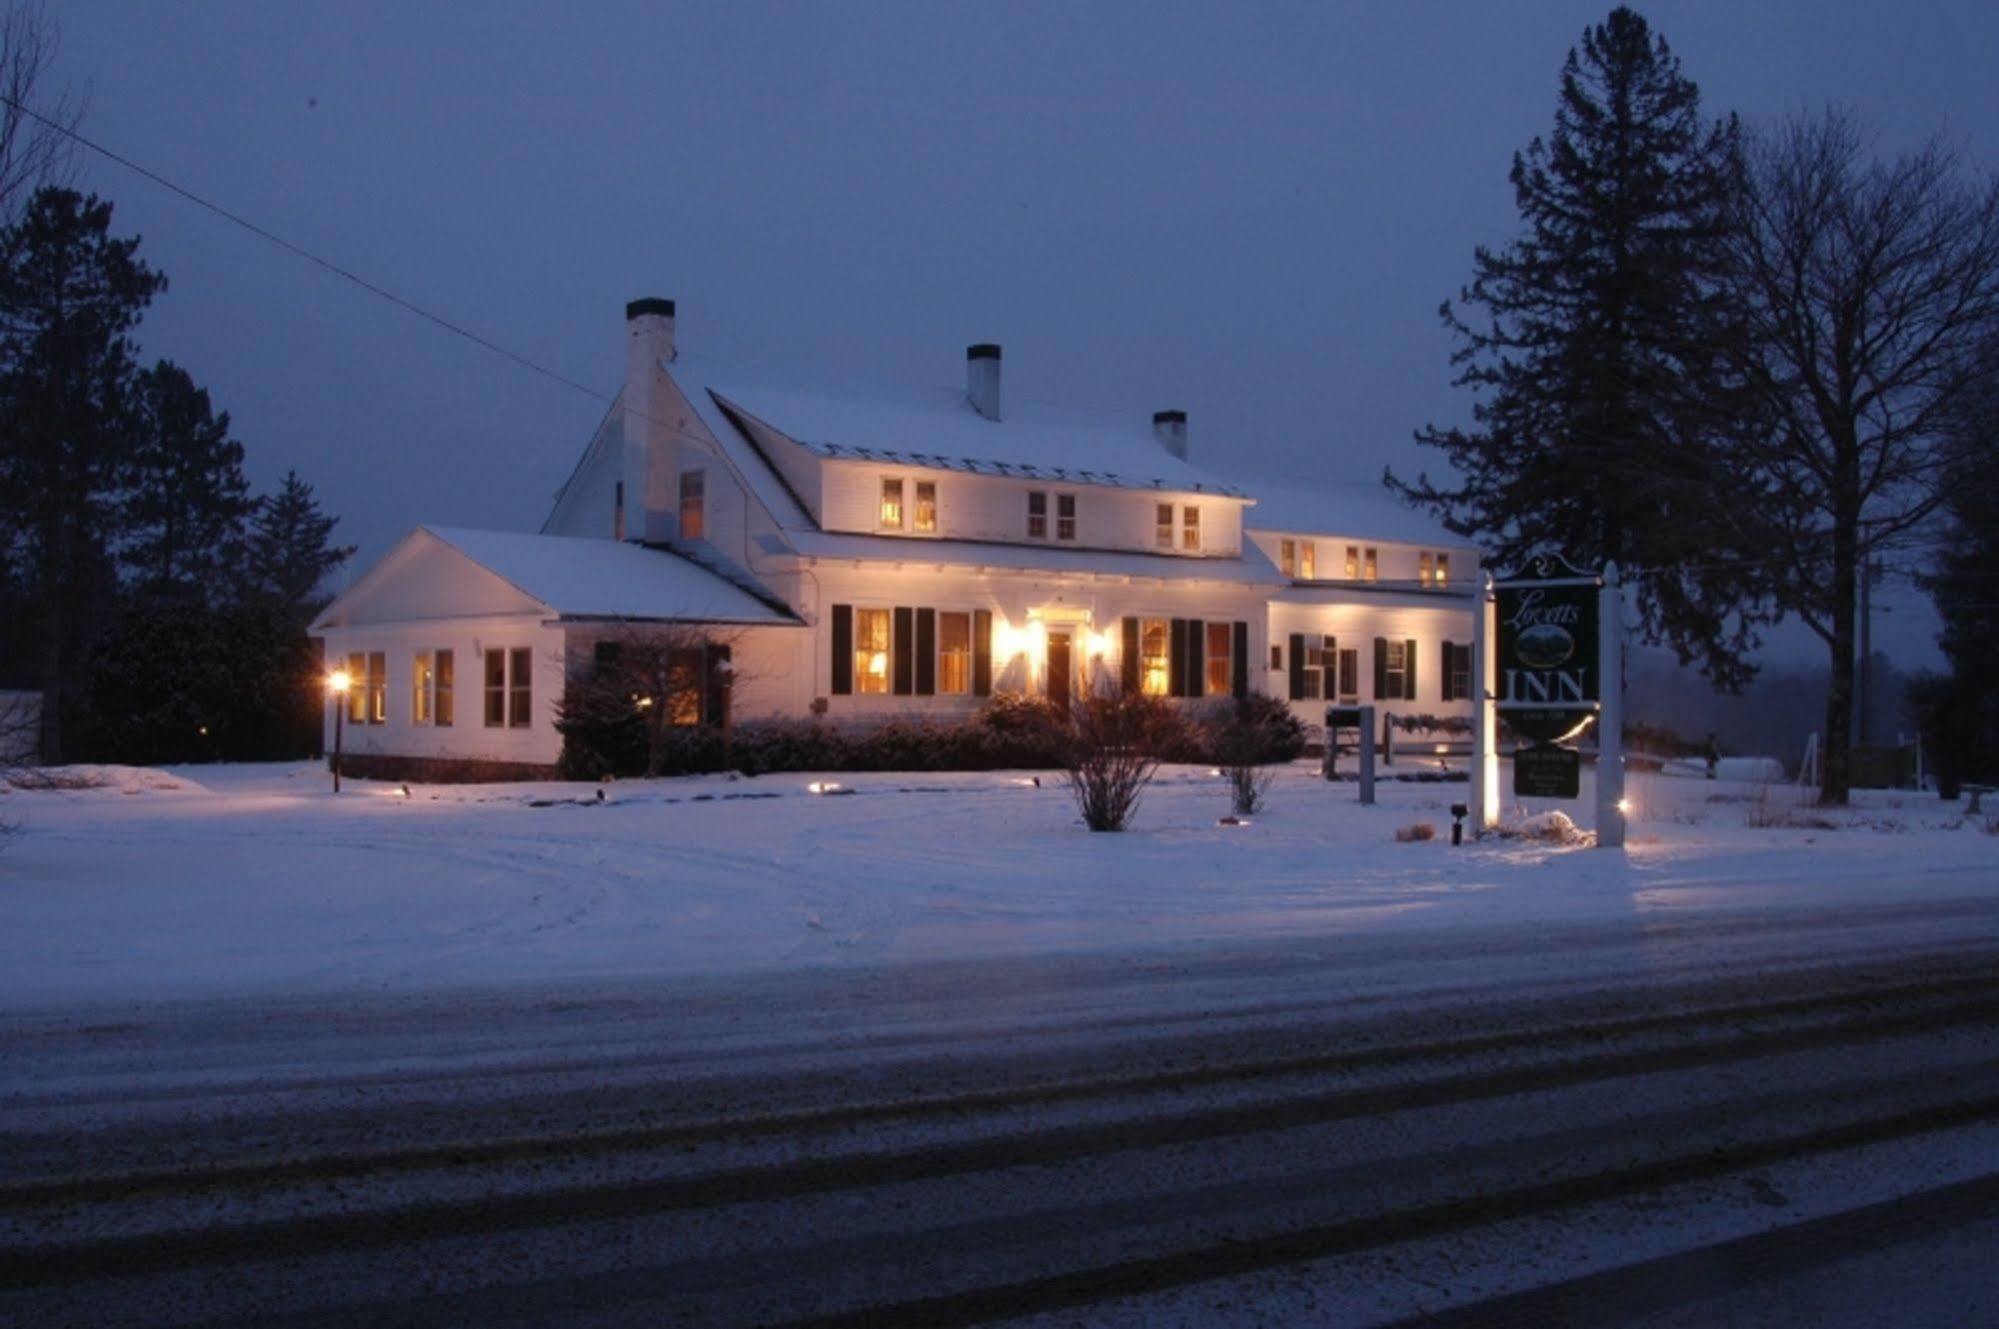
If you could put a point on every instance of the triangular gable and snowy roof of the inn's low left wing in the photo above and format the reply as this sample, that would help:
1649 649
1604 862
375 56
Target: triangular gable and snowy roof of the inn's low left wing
455 573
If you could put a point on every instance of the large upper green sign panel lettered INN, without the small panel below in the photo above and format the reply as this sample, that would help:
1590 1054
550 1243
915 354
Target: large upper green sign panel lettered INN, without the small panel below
1548 649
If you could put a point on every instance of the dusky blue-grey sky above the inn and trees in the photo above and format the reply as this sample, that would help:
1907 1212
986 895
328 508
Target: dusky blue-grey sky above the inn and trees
1250 213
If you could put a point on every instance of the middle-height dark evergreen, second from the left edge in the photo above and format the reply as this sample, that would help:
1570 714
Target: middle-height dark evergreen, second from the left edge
187 495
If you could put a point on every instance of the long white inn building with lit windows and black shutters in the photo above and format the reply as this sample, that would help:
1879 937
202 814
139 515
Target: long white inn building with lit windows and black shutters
861 555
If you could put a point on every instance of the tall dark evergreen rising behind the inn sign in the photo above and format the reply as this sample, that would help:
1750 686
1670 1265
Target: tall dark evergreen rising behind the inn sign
1600 393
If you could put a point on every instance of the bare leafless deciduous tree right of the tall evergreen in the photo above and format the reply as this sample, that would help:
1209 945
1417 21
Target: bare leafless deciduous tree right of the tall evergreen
1868 289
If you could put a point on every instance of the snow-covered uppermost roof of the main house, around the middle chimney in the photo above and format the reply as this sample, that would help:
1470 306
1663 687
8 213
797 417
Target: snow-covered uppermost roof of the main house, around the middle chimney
937 427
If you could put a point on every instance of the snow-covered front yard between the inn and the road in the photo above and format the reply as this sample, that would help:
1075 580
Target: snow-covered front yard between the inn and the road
237 880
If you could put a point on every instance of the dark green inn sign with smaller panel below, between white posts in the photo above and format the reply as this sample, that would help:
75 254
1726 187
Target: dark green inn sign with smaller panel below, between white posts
1548 668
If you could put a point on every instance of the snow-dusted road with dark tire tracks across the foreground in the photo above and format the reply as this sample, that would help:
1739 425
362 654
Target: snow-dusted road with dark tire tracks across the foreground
1250 1134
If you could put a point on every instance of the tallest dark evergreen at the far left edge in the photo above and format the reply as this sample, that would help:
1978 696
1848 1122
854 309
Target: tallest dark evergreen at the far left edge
71 297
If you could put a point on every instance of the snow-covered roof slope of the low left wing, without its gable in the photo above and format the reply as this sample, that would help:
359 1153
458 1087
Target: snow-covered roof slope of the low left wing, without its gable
607 579
